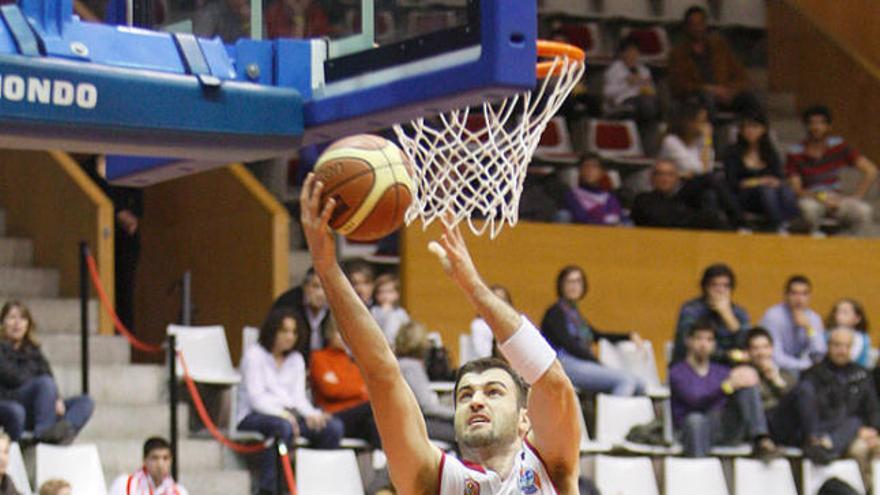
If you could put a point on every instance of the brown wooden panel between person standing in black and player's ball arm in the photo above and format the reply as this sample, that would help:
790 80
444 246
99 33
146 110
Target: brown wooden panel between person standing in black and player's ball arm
230 233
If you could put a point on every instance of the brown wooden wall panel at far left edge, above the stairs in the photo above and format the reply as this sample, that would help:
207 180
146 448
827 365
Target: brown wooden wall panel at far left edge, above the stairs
53 202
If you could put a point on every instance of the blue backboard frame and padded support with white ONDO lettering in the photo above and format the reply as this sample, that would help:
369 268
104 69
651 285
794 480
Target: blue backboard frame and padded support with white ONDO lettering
161 94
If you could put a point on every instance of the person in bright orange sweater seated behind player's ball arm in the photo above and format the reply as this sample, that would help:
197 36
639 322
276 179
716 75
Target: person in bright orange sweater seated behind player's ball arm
338 387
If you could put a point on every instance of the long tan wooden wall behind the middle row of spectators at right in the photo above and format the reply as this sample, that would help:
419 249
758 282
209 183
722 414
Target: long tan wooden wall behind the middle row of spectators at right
638 278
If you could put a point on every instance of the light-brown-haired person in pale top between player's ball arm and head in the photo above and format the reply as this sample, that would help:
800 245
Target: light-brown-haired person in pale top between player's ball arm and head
410 346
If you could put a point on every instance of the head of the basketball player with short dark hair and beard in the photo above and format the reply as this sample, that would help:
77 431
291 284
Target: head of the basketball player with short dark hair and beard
486 411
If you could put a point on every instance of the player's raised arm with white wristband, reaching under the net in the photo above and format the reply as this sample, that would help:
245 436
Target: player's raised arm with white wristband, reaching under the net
552 402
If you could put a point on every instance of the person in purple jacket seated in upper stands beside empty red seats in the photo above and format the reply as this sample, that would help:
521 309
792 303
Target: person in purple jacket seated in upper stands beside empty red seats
591 201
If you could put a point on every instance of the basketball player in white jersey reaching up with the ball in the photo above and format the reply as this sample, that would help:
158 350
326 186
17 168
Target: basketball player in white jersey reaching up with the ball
513 441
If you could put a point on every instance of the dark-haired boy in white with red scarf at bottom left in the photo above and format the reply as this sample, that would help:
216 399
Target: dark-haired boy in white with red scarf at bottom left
154 478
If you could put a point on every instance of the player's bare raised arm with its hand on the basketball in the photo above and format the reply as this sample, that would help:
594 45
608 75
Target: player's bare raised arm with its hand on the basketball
413 461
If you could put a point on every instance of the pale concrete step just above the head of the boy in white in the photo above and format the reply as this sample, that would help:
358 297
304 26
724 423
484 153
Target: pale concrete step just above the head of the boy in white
114 421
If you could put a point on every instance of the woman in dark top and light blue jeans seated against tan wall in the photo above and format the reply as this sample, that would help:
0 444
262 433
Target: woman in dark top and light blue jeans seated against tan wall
572 336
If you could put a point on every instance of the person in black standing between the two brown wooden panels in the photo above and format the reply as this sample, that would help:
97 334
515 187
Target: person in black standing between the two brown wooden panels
128 208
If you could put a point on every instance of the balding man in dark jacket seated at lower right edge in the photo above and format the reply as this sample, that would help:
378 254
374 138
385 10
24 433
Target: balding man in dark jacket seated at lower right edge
838 408
